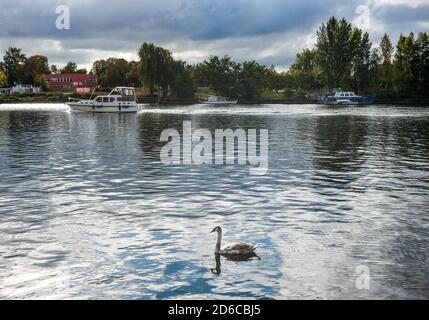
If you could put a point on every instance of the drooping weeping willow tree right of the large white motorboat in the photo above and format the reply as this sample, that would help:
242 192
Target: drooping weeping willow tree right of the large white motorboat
157 67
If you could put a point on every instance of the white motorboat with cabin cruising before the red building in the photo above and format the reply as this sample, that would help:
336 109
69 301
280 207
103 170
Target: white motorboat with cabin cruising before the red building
119 100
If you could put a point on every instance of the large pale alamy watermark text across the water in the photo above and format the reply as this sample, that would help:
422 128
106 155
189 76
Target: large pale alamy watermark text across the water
202 147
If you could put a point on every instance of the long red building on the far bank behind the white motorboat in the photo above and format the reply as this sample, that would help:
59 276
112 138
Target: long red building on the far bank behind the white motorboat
72 82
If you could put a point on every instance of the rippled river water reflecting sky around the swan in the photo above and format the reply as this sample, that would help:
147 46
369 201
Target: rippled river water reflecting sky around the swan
87 209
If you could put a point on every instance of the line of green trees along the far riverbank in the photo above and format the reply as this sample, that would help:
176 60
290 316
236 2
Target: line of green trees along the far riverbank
342 57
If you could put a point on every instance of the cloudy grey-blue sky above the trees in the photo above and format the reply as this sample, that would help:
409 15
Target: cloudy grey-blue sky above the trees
269 31
